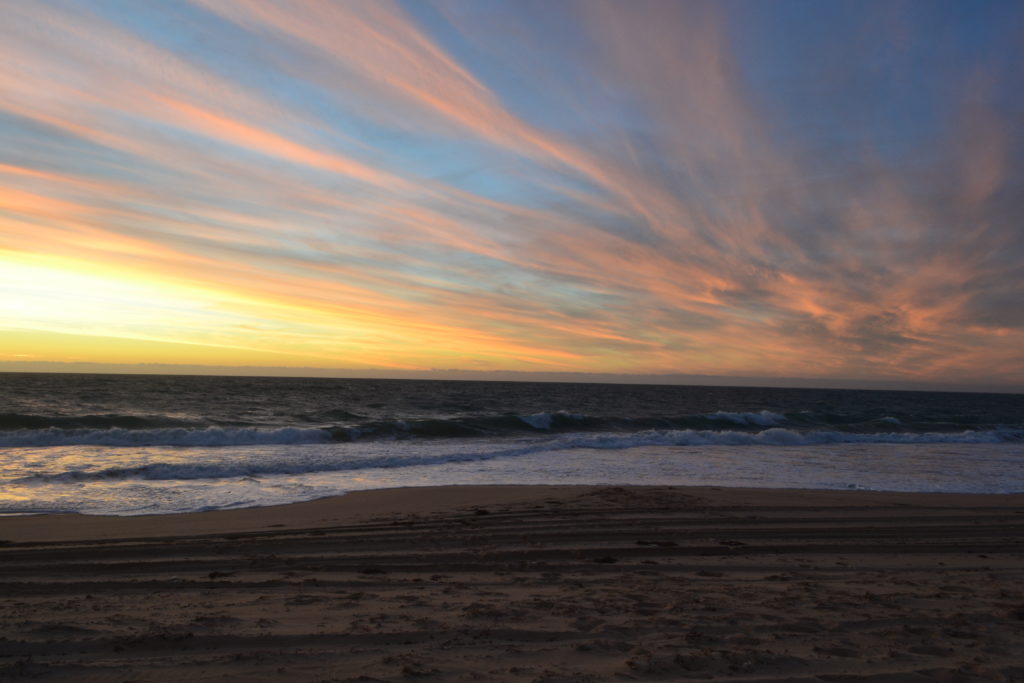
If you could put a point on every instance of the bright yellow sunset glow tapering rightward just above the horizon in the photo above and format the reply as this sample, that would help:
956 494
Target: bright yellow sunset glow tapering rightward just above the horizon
110 314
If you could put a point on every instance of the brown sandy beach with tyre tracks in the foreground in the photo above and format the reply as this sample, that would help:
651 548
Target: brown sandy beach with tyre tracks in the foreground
526 584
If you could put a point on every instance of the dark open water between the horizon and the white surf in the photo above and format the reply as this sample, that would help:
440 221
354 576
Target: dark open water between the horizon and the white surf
55 410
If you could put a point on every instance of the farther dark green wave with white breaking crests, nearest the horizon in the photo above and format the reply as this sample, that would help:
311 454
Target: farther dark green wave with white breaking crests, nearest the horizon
122 431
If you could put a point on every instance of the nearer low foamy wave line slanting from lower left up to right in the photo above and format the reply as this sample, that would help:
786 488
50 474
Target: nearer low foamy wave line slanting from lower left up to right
320 461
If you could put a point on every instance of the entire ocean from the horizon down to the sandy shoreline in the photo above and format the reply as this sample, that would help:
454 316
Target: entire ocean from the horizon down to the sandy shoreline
131 445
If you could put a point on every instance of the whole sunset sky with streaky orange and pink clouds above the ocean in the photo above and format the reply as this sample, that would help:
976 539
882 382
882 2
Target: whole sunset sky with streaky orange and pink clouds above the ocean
756 189
